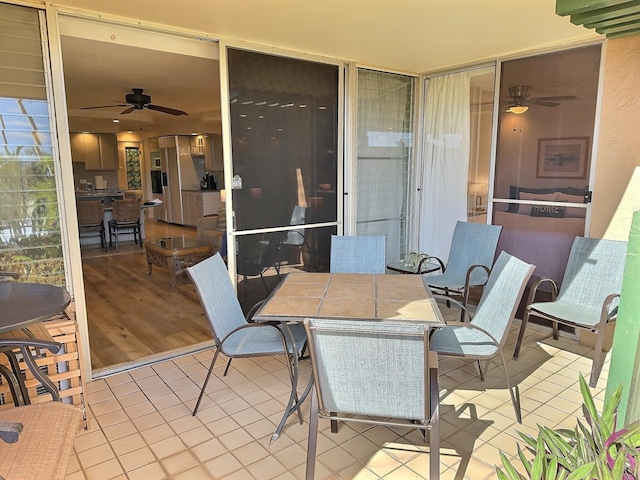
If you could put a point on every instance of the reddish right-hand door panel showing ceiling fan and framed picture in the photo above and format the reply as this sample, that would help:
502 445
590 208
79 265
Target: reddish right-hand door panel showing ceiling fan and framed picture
545 131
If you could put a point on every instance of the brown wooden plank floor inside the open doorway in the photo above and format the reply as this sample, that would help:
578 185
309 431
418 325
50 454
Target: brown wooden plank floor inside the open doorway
132 315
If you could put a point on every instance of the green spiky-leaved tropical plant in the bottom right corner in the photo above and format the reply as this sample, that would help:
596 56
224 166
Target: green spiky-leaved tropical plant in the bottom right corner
592 451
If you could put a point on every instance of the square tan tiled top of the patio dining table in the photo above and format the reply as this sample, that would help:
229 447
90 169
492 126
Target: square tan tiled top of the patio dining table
349 295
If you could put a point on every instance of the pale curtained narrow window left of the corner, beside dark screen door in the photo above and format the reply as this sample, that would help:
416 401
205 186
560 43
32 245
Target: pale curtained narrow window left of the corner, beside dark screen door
384 125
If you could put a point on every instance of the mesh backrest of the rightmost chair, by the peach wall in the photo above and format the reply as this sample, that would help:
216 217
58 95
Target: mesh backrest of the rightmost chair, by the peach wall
594 270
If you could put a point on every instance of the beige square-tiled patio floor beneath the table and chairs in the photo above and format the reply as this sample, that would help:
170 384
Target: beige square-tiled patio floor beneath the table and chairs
141 425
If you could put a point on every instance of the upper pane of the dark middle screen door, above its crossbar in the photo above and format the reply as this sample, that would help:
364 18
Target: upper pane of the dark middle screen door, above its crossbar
284 134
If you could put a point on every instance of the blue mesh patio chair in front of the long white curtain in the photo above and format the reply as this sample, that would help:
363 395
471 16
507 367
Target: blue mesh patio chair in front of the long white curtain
473 249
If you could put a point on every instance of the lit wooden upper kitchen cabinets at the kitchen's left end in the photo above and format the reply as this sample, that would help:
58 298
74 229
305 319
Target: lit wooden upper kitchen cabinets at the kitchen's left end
98 151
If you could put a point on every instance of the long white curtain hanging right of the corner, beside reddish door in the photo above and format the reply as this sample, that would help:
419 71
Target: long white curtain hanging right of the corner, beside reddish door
446 161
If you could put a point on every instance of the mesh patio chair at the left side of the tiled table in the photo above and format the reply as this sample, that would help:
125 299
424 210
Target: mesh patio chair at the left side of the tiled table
233 335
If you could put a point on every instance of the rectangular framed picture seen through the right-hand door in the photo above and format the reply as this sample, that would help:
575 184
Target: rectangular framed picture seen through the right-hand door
563 157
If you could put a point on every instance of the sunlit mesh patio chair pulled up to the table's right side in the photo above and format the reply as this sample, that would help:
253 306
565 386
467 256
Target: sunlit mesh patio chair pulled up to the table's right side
484 337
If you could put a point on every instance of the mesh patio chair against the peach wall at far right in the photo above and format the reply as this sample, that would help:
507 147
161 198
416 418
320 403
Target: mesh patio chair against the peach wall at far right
588 295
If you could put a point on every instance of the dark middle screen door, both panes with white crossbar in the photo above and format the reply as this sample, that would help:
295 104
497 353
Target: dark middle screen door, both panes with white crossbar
284 131
